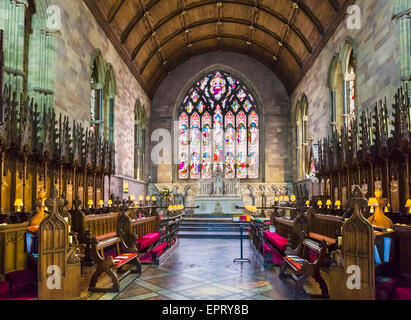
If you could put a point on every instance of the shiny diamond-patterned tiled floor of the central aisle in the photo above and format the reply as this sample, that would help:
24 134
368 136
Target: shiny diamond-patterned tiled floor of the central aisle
203 269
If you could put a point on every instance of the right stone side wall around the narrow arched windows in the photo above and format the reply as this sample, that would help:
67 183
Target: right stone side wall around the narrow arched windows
378 71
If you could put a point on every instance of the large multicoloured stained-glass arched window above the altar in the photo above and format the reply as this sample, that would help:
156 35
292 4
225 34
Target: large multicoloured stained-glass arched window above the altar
218 129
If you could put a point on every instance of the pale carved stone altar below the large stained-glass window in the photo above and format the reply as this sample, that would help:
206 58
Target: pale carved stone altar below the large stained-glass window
218 195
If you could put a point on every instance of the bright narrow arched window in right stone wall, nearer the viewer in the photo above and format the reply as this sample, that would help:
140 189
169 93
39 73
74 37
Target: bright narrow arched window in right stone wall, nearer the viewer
348 64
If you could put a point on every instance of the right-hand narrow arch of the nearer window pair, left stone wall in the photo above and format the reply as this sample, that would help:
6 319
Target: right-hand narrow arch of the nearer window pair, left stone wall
110 89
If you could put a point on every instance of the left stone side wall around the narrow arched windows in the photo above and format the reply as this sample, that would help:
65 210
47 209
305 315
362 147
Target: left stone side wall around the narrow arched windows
80 36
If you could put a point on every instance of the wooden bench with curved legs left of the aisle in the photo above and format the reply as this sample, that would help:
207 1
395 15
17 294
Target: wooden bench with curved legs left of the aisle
112 261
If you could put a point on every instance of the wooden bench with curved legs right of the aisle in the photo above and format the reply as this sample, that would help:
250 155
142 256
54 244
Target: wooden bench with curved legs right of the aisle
304 268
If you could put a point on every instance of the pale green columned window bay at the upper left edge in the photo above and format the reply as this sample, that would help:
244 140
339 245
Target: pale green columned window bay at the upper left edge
29 48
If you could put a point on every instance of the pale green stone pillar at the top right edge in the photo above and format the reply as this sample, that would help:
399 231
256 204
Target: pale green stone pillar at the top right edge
402 16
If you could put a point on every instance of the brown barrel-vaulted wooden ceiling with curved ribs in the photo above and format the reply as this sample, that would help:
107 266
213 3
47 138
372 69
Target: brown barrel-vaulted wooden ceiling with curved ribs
155 36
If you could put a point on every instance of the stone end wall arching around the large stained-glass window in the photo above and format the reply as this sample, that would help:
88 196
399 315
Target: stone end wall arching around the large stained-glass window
268 89
